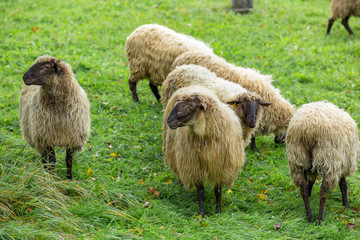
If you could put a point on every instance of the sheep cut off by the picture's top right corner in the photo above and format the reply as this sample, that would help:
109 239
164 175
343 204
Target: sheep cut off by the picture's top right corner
343 9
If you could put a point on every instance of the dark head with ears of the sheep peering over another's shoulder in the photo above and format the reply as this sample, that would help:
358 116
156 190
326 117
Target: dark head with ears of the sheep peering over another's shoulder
248 108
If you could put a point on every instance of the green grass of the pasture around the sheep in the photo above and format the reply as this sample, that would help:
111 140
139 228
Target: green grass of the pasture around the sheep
123 158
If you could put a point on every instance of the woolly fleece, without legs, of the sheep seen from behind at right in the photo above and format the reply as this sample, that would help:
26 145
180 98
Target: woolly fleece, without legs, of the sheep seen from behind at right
323 138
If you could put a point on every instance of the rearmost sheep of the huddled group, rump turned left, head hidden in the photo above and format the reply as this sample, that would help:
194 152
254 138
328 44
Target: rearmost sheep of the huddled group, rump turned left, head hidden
151 49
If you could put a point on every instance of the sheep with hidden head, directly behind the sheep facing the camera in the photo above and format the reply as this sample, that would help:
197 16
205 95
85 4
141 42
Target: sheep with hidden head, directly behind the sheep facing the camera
275 117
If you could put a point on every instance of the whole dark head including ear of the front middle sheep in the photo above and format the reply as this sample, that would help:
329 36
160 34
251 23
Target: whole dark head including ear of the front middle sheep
185 111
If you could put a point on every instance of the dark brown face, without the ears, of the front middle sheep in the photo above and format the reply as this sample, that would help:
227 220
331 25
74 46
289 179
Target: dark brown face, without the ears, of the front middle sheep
181 114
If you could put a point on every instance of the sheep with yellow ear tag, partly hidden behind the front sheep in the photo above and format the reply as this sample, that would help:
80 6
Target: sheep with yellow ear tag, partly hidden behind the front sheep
247 105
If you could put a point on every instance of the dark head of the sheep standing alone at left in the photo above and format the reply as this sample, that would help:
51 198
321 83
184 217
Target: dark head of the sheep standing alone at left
41 72
